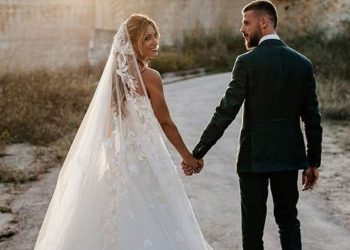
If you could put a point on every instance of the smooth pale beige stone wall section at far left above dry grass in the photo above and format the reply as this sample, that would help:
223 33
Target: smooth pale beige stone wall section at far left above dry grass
37 34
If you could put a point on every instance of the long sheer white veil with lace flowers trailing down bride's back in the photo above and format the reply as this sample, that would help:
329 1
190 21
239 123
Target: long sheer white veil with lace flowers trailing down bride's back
77 204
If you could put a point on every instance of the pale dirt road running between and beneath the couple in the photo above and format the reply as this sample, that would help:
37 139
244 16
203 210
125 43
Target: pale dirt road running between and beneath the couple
214 193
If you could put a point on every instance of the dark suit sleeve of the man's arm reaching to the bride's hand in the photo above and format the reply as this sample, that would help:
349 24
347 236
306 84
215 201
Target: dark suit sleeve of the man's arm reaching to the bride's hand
227 110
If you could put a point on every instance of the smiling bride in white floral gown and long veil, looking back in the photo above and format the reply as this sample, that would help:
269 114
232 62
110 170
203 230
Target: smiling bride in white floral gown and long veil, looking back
118 187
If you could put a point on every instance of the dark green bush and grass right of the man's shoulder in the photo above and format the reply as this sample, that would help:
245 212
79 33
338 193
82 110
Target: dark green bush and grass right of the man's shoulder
331 62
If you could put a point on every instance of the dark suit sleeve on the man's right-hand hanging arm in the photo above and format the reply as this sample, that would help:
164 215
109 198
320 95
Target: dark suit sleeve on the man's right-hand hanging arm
312 123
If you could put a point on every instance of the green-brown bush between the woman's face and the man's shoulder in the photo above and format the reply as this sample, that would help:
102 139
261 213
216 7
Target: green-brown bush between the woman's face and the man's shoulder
216 51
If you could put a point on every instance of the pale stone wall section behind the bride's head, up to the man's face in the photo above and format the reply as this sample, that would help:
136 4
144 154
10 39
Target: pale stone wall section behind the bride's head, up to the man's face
173 18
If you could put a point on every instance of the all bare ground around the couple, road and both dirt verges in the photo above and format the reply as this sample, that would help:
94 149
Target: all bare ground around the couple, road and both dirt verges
214 193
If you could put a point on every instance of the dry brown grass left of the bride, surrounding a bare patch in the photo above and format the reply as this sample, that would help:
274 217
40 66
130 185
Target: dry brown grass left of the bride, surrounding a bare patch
42 108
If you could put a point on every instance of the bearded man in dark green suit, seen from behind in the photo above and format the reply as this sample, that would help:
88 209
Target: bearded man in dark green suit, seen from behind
277 86
